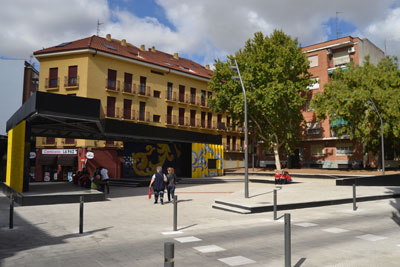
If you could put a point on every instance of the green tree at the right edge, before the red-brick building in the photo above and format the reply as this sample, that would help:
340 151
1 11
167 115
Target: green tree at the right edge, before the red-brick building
345 102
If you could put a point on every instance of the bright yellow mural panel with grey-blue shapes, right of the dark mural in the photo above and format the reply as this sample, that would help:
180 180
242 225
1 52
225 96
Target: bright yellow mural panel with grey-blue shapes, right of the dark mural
201 155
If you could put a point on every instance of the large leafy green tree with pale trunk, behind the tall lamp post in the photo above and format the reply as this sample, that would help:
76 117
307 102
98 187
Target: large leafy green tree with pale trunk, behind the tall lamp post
274 73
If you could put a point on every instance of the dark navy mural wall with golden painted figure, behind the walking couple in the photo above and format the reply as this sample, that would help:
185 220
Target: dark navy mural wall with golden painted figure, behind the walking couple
141 160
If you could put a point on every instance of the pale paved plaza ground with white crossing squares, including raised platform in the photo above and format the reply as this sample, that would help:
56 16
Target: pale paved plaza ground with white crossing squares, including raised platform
129 230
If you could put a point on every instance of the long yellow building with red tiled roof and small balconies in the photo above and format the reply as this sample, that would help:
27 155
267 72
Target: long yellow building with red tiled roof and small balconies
139 86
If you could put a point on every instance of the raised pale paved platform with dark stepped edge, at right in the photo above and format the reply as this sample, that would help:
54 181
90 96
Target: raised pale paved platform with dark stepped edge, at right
302 193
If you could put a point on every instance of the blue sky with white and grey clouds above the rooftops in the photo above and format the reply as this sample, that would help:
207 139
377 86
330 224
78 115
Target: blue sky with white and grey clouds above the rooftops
201 30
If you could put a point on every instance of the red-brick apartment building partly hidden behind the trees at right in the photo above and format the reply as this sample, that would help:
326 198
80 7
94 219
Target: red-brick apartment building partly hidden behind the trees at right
321 147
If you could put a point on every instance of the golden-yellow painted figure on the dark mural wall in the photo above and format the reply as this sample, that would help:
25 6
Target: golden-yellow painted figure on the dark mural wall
141 164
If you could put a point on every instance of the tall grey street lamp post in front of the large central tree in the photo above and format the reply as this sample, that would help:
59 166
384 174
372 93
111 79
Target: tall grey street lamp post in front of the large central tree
246 161
